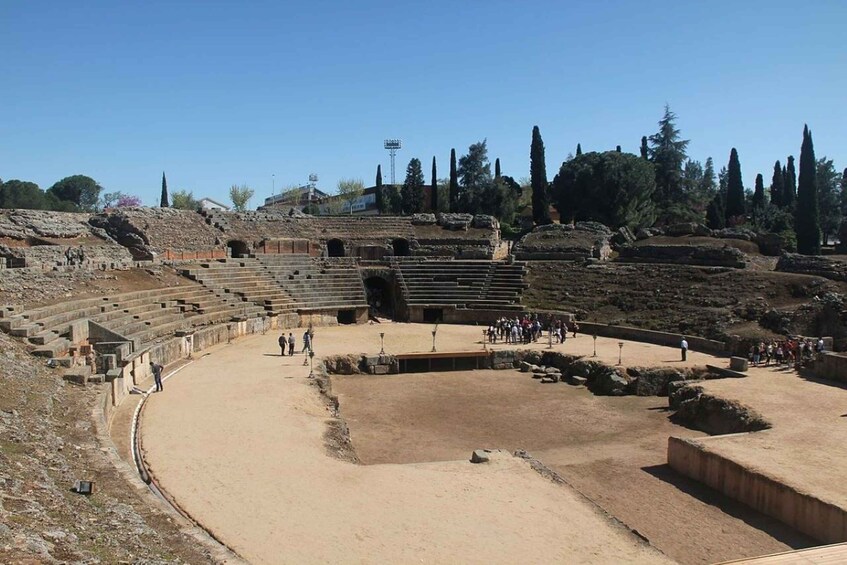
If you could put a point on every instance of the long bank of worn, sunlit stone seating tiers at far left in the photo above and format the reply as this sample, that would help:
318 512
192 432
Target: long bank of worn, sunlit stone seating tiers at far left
141 316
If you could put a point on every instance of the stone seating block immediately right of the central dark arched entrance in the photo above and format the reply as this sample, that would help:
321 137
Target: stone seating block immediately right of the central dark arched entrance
470 284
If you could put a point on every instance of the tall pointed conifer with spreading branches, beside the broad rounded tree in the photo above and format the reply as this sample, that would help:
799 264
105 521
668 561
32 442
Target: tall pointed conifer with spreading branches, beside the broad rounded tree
667 152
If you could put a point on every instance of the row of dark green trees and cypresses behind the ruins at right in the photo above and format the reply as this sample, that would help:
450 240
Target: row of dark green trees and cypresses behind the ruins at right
659 186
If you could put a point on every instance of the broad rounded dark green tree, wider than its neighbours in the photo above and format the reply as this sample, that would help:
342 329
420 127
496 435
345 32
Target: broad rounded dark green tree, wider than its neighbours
612 188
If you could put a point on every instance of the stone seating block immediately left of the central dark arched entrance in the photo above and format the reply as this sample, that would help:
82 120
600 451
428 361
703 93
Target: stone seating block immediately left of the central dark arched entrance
317 283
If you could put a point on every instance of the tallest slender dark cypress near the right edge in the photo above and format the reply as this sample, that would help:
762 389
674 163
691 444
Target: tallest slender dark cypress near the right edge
807 222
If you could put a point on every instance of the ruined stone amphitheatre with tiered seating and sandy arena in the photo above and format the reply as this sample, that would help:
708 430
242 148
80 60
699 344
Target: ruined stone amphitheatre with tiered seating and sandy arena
408 433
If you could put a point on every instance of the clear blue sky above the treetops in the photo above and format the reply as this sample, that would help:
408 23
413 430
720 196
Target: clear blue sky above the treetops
216 93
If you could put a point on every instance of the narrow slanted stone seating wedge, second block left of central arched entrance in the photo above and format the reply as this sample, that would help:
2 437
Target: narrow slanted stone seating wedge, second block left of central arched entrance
247 278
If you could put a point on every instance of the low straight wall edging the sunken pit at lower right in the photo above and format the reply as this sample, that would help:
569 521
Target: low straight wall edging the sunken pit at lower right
819 519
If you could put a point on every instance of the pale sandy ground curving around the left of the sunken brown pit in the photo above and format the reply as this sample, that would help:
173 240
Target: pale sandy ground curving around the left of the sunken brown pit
237 439
